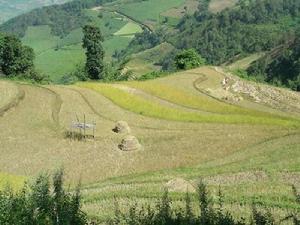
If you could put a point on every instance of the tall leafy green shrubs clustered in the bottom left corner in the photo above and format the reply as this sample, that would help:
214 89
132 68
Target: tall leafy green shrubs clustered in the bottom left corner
42 203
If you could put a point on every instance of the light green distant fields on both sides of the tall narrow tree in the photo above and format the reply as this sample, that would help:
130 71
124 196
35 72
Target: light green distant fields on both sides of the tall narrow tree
57 57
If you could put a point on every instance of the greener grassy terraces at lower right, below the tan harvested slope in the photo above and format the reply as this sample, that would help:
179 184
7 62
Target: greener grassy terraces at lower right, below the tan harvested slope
275 163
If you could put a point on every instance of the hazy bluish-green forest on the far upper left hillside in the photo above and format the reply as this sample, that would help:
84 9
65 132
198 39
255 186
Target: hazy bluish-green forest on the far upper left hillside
61 18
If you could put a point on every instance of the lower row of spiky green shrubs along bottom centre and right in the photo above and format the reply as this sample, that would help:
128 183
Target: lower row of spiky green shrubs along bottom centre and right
165 214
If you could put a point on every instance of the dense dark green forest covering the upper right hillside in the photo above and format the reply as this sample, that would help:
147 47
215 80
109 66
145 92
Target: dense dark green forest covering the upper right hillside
252 26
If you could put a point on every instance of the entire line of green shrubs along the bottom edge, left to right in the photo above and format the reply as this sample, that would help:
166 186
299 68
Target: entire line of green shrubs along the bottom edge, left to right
46 202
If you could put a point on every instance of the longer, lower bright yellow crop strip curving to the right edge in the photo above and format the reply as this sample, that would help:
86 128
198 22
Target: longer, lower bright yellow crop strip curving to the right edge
146 107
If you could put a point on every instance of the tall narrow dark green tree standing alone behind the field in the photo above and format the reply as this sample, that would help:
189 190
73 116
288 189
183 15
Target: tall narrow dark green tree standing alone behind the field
92 42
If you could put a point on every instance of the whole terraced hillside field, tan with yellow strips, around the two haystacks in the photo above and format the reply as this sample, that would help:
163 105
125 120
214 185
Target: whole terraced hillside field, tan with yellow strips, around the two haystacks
185 133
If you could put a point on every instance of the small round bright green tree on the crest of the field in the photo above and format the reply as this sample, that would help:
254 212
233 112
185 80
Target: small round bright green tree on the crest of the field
188 59
